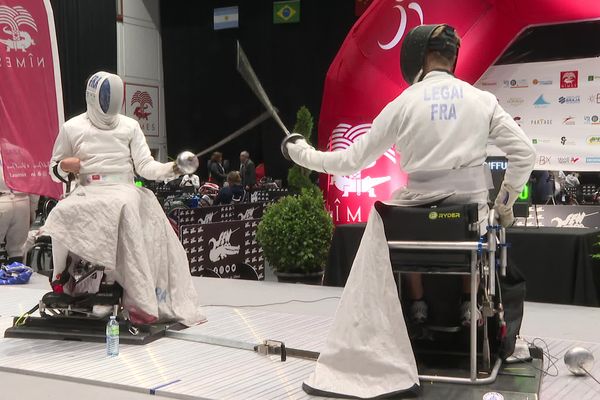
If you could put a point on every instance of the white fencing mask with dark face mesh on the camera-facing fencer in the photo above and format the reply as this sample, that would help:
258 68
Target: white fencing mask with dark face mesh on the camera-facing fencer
104 98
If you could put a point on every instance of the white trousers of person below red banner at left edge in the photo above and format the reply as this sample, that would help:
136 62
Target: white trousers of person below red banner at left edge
14 222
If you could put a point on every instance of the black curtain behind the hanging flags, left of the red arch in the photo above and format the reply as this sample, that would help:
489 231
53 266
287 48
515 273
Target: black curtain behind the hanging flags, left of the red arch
205 97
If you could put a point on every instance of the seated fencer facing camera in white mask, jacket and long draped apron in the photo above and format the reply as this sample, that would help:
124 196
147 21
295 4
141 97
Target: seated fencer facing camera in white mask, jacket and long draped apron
109 221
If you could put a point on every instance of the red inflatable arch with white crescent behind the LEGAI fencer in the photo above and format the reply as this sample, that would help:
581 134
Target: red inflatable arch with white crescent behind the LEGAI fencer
365 76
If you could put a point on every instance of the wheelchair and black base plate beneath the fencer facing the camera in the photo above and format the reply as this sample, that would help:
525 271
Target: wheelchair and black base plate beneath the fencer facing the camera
82 299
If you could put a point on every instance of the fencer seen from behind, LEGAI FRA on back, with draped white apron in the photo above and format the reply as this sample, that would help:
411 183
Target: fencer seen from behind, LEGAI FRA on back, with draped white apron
441 126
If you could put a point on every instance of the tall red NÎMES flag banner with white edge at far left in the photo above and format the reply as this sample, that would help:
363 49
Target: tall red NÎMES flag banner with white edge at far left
31 108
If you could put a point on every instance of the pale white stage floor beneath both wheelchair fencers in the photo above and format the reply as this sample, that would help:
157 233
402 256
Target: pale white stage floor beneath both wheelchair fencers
175 368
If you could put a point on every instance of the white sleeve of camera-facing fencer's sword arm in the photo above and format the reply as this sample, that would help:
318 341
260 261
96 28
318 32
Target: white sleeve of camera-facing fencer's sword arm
144 163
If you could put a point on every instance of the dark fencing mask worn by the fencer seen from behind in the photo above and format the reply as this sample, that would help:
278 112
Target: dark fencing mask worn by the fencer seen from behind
418 42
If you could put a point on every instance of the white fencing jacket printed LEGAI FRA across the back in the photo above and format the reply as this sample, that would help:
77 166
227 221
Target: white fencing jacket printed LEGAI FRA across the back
441 126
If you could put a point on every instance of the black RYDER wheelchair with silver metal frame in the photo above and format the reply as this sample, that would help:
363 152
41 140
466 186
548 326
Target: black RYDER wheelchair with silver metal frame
446 240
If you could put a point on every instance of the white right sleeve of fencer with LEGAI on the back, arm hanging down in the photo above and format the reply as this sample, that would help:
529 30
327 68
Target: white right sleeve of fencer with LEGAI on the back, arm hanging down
510 138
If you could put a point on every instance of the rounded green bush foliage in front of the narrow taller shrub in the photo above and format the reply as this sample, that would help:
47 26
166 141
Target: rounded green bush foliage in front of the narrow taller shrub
295 234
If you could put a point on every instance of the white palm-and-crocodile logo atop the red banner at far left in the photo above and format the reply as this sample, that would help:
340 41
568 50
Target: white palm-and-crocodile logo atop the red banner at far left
13 18
